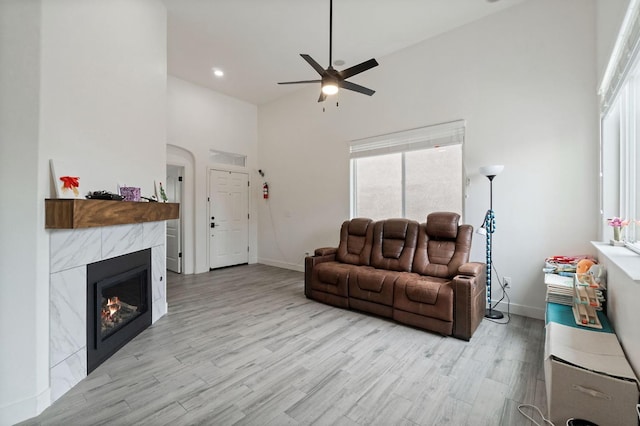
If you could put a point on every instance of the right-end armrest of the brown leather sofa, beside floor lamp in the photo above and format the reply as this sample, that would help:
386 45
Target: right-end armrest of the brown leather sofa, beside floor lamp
470 299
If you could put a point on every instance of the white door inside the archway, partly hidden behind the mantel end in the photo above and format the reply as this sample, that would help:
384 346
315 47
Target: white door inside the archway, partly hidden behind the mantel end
174 226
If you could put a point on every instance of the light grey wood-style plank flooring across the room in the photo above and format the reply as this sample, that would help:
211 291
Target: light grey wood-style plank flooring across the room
243 346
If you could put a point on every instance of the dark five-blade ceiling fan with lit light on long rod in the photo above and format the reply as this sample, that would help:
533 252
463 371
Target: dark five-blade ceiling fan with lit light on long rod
331 79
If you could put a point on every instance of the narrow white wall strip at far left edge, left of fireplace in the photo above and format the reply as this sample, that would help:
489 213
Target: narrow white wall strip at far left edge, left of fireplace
23 255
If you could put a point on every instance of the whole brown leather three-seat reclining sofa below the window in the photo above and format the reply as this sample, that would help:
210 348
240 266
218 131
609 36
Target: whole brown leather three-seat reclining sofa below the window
417 274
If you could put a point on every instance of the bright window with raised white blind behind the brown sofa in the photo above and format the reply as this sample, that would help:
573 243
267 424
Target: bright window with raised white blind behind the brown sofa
408 174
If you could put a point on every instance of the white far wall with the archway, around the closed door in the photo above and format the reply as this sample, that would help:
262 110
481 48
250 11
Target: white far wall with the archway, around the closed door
200 119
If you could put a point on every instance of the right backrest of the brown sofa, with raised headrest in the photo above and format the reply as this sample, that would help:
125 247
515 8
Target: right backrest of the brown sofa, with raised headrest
443 245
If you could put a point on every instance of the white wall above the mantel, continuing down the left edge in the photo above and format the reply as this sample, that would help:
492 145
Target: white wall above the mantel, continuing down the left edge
84 83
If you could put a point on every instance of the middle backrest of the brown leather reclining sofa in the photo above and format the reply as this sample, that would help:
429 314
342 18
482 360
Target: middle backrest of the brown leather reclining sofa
394 244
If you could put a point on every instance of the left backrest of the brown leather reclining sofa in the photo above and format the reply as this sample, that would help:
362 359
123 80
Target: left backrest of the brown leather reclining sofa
355 241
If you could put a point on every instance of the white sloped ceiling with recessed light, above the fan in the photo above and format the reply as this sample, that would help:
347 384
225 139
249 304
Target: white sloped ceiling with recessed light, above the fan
257 42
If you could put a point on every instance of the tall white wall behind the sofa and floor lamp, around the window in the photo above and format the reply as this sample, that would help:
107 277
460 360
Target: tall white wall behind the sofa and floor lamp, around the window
524 80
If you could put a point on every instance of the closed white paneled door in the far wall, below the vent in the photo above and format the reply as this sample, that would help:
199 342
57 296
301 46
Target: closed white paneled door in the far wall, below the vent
228 218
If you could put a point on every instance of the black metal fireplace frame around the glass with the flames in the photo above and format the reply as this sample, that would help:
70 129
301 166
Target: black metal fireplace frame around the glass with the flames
104 274
